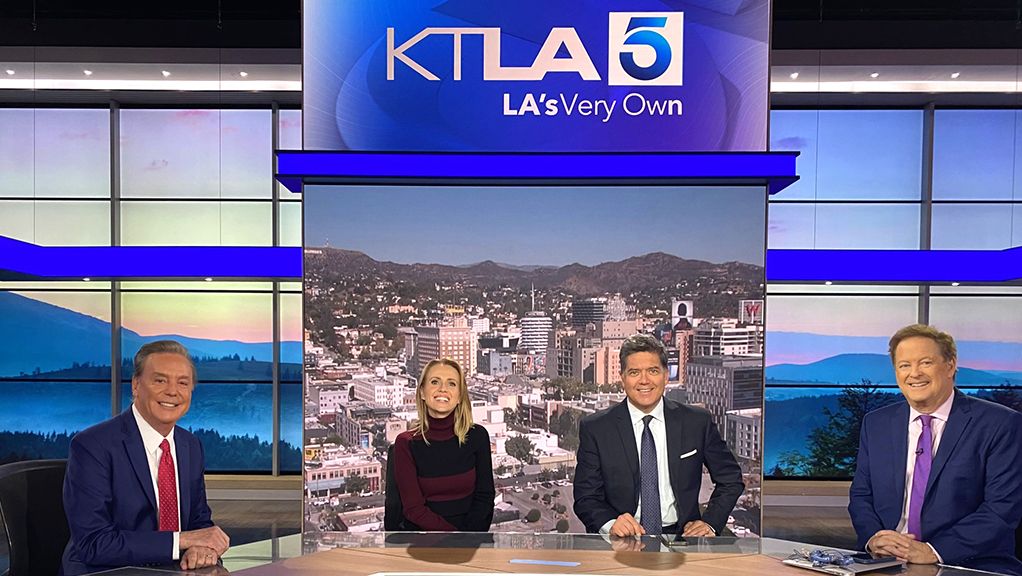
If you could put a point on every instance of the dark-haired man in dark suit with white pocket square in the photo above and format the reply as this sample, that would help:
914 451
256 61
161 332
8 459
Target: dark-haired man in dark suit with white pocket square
608 482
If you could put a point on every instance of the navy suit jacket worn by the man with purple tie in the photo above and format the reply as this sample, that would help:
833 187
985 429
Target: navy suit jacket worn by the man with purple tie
973 500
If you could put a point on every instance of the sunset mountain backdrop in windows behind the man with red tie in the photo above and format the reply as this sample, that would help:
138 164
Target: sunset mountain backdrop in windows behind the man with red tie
55 375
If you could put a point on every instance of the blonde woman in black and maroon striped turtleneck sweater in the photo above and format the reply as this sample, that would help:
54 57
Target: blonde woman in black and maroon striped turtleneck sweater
442 467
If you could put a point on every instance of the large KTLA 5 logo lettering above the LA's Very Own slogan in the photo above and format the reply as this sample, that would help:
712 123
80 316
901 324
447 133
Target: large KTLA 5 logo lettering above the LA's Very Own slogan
644 49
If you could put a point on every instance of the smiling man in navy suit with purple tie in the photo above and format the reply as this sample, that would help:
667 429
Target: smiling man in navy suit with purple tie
969 507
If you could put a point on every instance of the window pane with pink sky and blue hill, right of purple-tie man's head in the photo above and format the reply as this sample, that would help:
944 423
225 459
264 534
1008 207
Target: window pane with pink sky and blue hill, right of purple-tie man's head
989 337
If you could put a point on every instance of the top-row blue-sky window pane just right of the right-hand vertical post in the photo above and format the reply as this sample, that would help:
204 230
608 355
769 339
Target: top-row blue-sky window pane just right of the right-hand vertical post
974 155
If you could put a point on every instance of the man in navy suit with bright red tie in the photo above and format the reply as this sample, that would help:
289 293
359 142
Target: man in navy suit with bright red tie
134 492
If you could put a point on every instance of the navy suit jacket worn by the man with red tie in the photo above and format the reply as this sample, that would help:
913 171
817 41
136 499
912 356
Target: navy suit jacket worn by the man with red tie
111 503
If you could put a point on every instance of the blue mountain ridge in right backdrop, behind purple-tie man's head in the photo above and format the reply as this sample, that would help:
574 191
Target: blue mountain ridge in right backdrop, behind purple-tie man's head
852 369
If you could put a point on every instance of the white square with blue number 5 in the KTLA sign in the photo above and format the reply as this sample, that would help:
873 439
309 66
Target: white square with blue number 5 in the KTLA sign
645 50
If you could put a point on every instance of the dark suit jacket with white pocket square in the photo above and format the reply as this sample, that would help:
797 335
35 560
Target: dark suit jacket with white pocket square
607 482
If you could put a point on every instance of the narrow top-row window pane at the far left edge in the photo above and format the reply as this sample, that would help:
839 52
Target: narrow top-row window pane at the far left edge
18 157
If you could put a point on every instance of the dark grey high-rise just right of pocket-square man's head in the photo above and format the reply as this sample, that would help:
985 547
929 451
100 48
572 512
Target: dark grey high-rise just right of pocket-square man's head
725 383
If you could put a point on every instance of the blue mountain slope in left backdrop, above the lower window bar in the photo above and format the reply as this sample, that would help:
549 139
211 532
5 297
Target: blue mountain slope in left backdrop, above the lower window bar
48 339
